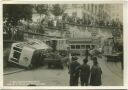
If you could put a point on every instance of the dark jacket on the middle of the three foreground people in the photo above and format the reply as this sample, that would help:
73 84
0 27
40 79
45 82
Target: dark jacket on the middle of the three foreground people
85 72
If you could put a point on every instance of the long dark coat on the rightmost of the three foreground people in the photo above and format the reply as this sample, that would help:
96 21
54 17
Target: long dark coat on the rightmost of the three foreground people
95 79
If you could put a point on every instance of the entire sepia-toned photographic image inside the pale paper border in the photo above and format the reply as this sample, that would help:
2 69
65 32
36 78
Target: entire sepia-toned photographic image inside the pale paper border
63 44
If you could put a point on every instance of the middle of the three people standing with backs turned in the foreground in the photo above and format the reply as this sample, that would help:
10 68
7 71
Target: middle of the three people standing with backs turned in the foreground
85 73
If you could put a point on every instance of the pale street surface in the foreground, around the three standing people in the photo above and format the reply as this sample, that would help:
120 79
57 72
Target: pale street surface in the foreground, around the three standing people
112 75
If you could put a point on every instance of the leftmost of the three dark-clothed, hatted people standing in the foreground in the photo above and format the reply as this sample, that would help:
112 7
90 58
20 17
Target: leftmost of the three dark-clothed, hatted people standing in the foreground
74 68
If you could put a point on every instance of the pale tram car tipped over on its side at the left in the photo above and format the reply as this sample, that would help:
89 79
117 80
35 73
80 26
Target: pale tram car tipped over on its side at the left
28 54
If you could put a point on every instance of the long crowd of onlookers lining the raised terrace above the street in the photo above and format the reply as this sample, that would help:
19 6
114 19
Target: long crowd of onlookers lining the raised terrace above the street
58 24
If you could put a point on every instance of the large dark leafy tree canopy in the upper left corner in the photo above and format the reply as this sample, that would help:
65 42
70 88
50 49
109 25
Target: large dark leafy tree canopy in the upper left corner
13 13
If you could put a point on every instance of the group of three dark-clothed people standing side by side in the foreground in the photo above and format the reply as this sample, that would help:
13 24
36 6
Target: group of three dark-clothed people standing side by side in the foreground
88 75
